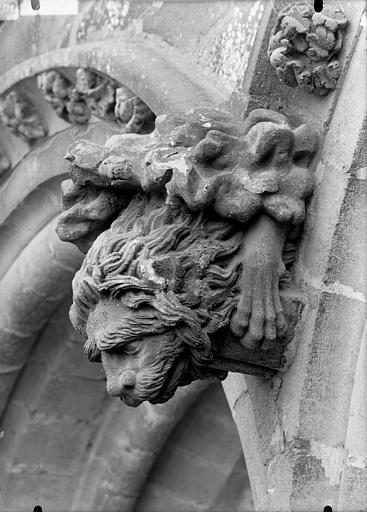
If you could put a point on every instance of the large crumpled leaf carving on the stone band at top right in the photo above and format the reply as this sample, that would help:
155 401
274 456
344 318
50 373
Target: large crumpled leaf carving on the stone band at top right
304 47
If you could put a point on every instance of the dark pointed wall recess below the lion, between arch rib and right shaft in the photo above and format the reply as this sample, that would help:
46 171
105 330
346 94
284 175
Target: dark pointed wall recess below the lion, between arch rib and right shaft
173 485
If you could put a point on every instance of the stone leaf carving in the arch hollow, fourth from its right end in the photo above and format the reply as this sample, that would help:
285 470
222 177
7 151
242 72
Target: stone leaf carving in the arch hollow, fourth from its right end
20 116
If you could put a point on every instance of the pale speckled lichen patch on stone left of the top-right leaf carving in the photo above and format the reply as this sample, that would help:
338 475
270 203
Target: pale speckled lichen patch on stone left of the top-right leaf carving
232 46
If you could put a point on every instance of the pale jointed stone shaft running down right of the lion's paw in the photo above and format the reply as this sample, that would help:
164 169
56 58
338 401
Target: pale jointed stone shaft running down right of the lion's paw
303 432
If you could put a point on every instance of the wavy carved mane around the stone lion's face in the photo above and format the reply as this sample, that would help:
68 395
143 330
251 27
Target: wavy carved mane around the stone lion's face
173 270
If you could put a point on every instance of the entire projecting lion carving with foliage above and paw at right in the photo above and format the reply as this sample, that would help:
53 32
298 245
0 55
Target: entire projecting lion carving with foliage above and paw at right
187 234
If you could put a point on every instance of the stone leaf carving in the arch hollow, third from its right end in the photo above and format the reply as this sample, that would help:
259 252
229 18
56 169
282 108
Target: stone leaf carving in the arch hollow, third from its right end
60 93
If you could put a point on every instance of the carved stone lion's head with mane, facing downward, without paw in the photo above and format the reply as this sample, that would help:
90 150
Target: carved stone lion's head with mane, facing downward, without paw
149 293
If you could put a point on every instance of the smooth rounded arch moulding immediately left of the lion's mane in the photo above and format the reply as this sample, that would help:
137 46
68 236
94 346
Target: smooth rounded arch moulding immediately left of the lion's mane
29 295
